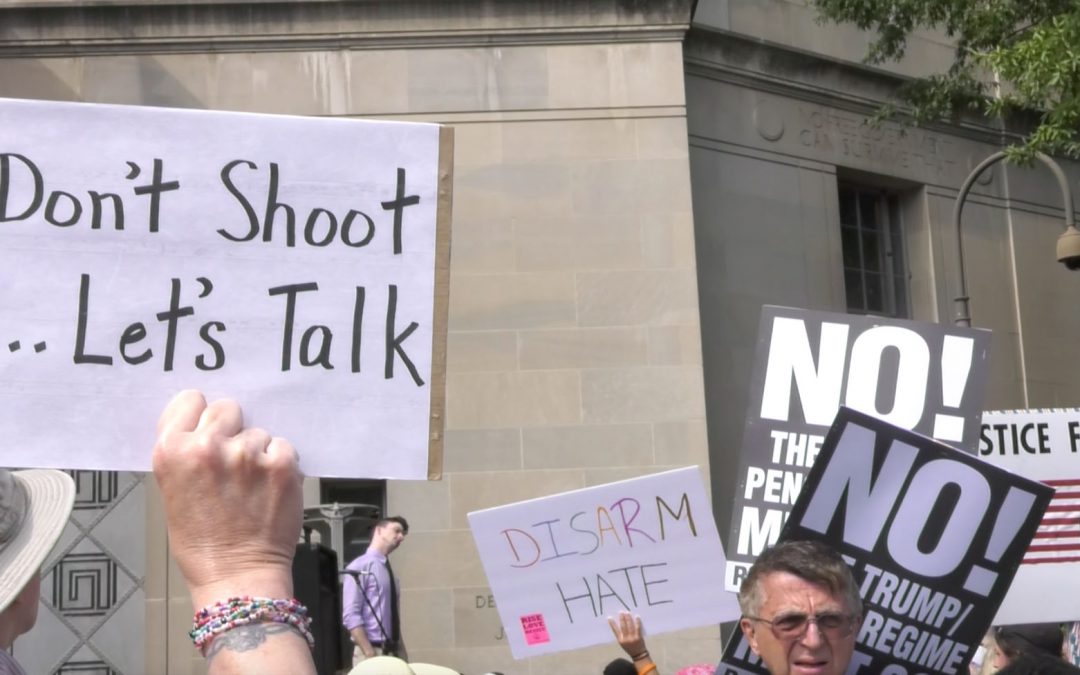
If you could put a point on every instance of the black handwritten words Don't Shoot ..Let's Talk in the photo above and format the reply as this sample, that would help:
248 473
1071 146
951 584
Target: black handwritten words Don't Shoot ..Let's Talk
25 195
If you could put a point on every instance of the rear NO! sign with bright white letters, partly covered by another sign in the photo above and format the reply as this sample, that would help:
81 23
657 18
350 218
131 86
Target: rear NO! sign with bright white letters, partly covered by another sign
927 377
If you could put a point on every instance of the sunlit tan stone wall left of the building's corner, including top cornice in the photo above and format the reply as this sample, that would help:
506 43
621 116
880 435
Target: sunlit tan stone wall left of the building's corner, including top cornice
575 352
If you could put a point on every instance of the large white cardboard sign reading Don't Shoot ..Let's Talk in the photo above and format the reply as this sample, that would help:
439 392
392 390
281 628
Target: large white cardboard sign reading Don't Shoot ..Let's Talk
298 265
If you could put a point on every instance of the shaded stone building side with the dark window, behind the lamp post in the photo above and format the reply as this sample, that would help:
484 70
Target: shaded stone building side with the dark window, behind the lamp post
786 171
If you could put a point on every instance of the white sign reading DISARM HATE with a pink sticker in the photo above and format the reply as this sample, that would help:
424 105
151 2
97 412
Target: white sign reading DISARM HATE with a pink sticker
560 565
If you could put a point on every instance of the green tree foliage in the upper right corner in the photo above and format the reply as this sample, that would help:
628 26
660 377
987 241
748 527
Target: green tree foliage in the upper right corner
1032 48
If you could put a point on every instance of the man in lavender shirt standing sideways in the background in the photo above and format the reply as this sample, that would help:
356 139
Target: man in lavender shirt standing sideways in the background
371 596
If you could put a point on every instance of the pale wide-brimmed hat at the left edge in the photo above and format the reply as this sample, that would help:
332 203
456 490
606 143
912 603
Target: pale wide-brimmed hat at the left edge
35 506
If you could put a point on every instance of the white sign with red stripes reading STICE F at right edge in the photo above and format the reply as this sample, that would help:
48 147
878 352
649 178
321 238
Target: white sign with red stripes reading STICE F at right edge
1043 445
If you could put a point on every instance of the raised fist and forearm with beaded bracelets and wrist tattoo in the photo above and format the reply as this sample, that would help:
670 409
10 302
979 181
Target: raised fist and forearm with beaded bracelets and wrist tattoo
238 569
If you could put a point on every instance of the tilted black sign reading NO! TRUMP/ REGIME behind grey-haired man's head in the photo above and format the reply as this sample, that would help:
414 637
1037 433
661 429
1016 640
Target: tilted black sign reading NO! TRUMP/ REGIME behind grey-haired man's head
934 537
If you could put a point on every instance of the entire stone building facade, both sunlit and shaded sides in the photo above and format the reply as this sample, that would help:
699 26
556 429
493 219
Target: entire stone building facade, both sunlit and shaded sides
632 182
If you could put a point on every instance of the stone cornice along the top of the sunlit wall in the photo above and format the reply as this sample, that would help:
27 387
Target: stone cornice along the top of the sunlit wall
44 28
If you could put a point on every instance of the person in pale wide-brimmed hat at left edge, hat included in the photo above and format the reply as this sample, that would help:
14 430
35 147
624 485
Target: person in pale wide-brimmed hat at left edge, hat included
35 506
